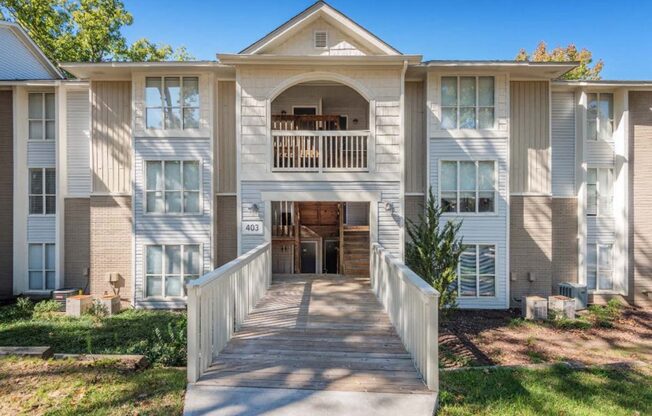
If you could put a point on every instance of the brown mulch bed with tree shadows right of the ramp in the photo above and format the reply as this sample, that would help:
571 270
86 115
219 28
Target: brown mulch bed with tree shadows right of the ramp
485 337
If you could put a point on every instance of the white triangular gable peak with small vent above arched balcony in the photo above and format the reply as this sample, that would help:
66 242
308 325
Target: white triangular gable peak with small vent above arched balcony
320 30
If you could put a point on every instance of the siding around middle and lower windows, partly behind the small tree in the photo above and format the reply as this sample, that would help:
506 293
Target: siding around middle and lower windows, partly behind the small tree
480 228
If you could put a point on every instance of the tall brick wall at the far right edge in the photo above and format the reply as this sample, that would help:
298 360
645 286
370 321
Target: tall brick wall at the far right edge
640 220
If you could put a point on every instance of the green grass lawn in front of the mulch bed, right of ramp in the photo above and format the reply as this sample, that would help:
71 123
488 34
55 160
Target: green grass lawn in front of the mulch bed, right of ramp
555 391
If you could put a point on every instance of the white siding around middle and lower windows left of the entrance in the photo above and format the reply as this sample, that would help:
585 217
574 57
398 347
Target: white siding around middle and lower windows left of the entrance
170 229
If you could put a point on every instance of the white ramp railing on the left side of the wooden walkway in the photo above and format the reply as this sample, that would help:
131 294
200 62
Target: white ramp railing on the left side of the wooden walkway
219 302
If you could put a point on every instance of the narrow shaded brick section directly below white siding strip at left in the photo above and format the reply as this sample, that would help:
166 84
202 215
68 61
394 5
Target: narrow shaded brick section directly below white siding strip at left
77 233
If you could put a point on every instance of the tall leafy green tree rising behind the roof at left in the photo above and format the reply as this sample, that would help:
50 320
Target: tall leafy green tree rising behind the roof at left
83 30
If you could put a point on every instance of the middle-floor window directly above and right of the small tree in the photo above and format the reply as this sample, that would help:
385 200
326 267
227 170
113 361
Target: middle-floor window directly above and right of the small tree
468 186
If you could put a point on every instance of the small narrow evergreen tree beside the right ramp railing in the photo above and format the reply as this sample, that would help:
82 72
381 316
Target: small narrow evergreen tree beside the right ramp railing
434 252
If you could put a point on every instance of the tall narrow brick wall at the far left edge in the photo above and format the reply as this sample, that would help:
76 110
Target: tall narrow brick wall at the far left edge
6 194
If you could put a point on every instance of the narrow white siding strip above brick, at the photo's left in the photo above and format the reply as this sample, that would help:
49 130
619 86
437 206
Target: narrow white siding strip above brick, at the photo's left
78 143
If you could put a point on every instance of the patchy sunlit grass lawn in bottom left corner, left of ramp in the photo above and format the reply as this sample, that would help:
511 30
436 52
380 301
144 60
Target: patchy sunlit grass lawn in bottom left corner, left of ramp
67 387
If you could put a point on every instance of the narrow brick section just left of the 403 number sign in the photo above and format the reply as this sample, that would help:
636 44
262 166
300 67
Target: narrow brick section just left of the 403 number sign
226 229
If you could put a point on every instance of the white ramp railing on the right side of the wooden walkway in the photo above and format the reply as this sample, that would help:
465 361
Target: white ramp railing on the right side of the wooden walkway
412 306
